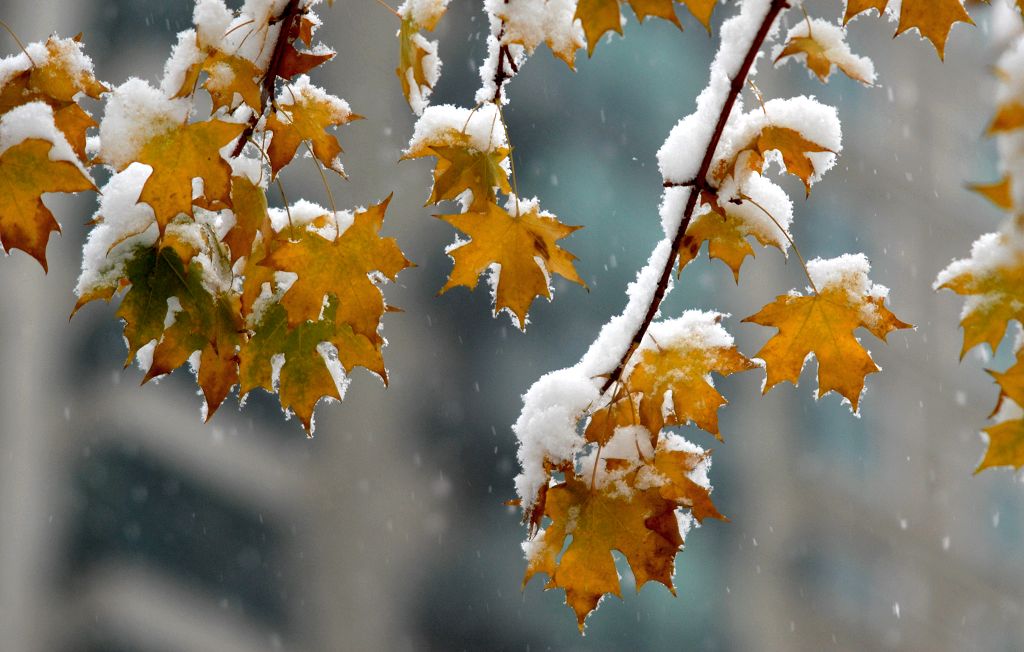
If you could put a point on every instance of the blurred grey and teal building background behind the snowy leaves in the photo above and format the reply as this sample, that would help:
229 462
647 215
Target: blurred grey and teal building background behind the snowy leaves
129 526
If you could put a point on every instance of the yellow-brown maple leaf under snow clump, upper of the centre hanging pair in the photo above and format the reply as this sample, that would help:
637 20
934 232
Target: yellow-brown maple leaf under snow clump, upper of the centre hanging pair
462 167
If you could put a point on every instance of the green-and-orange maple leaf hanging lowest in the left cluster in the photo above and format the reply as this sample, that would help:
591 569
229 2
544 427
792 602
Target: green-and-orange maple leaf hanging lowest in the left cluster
305 377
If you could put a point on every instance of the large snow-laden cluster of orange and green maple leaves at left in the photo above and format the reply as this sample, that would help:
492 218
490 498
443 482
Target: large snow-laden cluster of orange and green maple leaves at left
287 300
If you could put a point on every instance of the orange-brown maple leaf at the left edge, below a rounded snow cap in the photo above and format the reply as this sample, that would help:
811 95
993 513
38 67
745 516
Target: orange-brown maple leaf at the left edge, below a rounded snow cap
26 173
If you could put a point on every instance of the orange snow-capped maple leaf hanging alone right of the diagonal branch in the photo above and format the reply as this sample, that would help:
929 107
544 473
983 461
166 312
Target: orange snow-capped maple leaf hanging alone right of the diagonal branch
823 324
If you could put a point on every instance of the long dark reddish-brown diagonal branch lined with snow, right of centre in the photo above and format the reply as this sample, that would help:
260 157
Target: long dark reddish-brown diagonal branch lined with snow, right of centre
699 183
